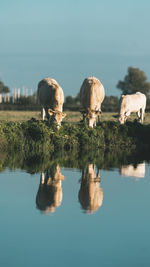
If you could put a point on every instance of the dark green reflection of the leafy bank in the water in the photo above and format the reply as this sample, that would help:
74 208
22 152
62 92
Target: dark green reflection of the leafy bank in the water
35 162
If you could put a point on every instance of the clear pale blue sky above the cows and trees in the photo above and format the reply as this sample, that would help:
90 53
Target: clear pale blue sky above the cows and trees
71 39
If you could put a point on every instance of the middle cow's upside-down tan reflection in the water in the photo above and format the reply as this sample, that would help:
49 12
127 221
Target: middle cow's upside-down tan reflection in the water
90 193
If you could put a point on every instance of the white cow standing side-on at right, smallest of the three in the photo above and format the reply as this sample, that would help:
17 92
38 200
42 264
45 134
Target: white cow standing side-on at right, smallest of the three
132 103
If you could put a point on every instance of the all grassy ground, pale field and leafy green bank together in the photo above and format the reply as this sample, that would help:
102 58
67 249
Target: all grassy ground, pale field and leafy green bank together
25 131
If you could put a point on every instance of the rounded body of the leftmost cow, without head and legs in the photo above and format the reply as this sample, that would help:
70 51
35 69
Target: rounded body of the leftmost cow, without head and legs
50 94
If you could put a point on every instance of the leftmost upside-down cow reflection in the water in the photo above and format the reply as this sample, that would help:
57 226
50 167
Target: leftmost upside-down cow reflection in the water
49 195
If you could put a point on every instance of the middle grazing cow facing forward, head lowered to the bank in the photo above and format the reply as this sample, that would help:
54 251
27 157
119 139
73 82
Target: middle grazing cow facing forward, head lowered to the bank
92 95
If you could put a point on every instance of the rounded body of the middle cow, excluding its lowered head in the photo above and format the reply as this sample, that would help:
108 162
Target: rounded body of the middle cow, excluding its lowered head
92 93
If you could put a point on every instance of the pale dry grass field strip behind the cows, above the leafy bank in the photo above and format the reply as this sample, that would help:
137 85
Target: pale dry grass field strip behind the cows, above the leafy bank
72 116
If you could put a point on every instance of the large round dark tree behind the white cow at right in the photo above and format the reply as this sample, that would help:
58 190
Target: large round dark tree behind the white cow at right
134 81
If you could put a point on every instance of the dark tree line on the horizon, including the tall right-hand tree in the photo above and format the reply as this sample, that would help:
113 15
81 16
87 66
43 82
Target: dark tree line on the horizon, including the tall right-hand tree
134 81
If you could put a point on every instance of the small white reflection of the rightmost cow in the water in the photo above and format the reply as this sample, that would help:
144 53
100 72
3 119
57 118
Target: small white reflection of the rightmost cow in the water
130 170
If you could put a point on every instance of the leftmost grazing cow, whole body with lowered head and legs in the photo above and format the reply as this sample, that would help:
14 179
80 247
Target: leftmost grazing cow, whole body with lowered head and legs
51 97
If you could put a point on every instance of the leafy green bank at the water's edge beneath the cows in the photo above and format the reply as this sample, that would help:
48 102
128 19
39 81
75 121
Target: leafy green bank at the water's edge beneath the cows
39 135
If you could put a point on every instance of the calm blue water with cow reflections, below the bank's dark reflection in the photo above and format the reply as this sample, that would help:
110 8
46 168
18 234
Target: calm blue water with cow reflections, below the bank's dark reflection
71 217
